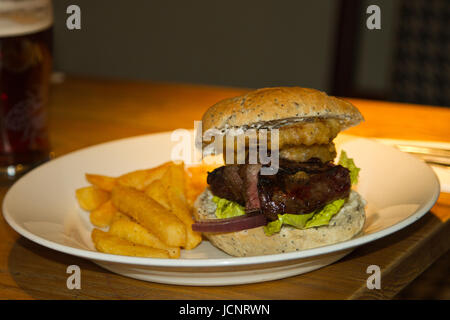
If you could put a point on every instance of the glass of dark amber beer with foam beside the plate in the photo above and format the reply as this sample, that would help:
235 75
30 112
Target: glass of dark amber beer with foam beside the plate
25 69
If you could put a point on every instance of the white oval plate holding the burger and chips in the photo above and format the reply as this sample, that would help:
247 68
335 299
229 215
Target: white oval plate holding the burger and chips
41 206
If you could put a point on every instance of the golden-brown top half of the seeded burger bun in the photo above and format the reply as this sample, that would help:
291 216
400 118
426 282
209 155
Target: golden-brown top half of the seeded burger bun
277 107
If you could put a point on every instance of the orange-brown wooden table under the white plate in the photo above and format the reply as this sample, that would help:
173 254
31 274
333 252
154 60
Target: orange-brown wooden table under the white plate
85 112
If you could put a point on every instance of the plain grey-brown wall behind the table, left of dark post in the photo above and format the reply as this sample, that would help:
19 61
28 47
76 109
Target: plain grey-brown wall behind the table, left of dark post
239 43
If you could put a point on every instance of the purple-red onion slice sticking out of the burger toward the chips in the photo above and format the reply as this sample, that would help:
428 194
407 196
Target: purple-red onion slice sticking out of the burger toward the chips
230 224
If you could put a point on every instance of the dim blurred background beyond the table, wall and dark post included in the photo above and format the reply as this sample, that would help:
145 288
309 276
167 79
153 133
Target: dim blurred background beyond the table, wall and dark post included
322 44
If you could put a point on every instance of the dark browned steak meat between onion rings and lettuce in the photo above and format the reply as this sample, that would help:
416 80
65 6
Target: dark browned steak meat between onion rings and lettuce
297 188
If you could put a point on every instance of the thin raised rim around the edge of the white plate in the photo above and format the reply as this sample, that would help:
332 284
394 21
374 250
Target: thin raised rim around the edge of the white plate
209 262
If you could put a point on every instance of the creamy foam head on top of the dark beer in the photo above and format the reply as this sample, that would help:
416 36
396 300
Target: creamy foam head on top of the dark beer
21 17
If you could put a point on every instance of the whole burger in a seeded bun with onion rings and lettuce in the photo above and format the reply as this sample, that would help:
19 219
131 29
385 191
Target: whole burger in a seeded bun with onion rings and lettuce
308 201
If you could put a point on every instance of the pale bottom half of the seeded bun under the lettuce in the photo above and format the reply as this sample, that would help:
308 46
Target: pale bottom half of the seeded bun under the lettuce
347 223
